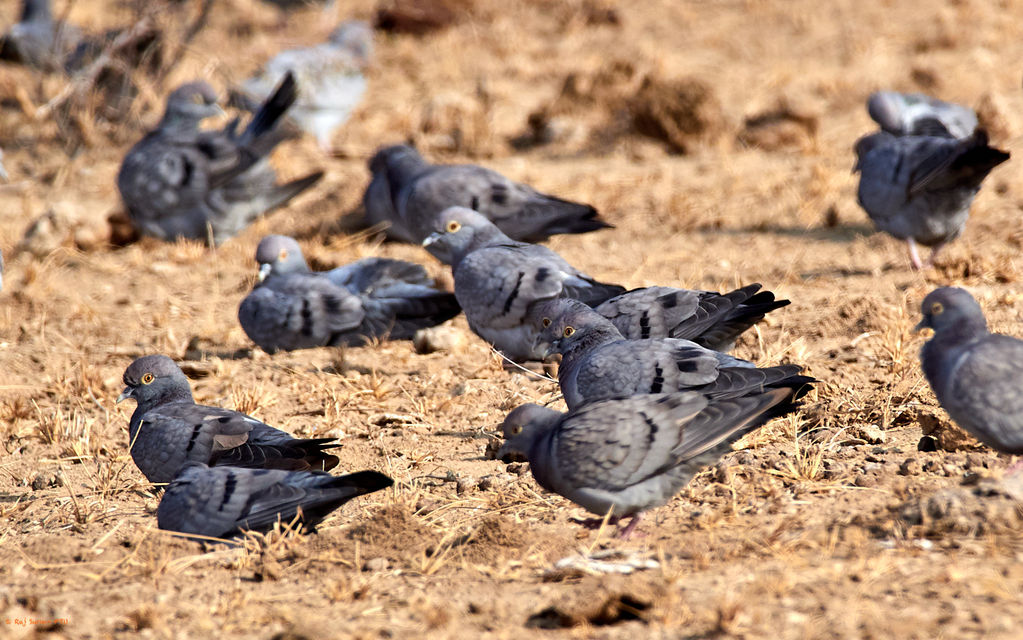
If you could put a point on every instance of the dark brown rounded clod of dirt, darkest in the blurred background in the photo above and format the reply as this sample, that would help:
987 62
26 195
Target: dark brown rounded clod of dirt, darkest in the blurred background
682 114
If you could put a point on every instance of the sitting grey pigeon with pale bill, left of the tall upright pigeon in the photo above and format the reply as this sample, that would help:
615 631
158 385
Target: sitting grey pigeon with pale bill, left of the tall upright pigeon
295 308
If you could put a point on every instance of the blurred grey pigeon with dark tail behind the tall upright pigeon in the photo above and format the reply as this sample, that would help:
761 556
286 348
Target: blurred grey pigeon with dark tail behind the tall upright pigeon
420 192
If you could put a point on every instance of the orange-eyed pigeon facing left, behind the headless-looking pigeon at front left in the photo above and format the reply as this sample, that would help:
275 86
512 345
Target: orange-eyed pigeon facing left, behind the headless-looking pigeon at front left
168 430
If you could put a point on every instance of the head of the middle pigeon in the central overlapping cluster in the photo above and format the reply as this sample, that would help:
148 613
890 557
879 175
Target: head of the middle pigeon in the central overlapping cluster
567 325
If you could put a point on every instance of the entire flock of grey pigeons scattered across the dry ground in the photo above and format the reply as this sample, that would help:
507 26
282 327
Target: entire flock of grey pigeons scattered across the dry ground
653 395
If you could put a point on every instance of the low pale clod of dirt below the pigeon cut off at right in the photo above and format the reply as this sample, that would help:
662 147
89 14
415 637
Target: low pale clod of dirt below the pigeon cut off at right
989 508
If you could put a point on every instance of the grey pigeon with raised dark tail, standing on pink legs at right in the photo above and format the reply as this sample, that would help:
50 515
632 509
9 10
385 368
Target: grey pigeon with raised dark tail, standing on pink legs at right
920 189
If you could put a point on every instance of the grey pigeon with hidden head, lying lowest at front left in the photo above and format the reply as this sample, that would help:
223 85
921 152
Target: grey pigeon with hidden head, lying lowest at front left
220 502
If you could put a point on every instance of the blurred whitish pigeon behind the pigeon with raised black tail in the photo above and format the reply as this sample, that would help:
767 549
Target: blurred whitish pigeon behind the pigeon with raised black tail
331 77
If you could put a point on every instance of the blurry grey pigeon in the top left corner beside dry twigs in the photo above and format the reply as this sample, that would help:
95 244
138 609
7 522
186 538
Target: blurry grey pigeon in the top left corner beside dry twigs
36 40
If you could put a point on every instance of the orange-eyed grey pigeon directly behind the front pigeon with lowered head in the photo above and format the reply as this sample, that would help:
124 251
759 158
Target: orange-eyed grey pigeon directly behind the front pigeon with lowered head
598 363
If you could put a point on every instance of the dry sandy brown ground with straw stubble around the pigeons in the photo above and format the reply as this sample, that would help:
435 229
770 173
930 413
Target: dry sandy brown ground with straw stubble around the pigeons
718 138
